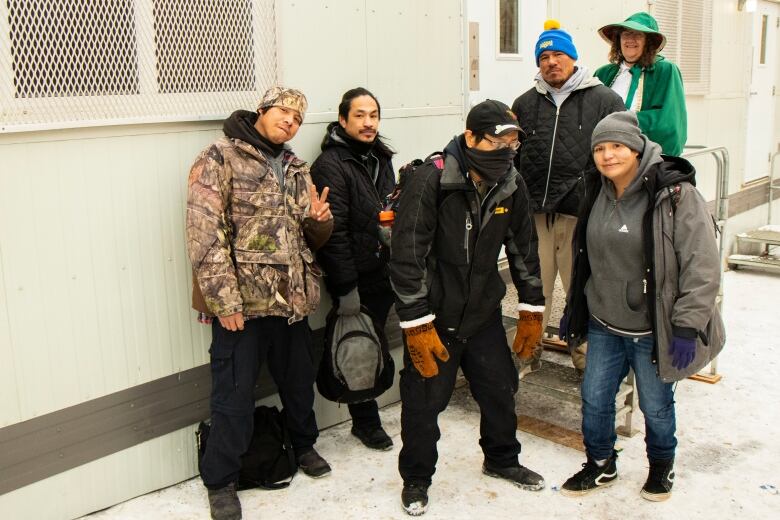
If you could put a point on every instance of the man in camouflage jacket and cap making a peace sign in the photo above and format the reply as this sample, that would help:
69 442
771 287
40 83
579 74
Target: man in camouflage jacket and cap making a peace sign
253 217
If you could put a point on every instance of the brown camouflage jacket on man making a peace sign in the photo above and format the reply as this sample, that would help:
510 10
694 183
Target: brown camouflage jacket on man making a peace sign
245 236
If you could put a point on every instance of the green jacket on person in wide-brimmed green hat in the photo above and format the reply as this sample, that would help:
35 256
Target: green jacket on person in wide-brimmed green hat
662 115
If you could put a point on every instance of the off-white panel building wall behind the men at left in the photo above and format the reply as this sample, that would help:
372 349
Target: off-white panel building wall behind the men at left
94 277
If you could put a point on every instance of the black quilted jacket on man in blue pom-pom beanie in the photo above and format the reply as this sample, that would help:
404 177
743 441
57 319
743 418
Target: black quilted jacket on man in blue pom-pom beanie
556 155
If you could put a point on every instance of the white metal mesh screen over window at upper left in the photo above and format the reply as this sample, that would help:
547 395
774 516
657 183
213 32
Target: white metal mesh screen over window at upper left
69 63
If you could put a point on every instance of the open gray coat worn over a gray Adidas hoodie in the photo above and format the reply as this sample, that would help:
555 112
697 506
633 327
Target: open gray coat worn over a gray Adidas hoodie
682 265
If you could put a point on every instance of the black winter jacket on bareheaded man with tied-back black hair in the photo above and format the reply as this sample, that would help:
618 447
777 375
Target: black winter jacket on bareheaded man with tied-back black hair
353 256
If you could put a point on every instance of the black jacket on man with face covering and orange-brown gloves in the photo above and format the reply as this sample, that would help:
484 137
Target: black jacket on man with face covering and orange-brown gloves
445 246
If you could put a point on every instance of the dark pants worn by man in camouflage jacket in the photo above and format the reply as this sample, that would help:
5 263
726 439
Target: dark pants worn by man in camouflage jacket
236 358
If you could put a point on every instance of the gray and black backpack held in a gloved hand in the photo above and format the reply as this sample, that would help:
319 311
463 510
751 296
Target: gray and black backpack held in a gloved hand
356 364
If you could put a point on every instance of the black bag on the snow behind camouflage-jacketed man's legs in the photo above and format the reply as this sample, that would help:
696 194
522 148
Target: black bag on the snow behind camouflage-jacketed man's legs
269 459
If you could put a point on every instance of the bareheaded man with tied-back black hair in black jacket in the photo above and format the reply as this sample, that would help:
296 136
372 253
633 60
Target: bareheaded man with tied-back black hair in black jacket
356 165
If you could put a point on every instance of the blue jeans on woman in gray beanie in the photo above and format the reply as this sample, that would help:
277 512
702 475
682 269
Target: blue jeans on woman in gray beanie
608 360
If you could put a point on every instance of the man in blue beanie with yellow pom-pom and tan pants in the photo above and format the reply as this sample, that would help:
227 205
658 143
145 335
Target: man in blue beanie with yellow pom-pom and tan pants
558 115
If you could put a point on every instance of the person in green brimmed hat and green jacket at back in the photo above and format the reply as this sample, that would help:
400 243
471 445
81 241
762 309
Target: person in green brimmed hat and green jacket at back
649 84
